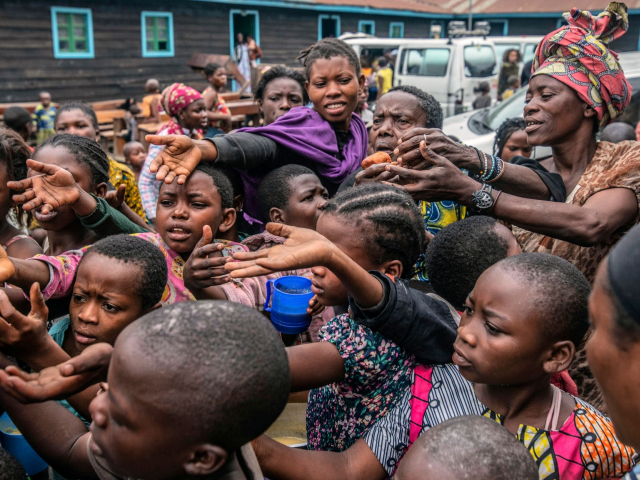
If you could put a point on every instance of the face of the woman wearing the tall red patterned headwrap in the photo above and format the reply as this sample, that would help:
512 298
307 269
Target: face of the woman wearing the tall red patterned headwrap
554 113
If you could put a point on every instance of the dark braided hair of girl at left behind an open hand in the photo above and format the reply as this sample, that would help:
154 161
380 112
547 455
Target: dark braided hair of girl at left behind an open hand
86 151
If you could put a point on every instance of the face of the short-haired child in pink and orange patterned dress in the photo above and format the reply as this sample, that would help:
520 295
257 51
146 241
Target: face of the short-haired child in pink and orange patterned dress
499 339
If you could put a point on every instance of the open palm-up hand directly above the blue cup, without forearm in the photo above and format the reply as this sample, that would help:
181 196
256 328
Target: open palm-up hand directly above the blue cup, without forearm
303 248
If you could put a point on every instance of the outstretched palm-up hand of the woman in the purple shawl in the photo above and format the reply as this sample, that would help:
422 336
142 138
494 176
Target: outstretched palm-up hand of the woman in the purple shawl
179 157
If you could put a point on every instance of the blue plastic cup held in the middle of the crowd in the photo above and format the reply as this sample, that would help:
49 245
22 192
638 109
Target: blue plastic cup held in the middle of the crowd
289 304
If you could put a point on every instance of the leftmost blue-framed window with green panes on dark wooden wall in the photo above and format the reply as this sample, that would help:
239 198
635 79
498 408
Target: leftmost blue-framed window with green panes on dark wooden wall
72 30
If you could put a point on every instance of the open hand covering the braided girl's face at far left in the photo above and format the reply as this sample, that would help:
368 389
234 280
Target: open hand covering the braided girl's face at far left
53 188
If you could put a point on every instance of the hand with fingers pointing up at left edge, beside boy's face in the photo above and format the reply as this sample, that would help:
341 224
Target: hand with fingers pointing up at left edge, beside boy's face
23 333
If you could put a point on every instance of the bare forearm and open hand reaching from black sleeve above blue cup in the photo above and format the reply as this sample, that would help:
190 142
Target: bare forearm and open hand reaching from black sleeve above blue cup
305 248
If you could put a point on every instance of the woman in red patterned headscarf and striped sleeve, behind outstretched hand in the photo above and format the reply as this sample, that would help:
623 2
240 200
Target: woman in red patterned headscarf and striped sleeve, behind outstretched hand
188 113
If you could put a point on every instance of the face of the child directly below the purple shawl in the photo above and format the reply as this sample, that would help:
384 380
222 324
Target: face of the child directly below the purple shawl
307 198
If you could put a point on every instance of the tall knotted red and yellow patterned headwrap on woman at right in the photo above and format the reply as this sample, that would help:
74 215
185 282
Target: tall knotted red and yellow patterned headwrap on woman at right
578 56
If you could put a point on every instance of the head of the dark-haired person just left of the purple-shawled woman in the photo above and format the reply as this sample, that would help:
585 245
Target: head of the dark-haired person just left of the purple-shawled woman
280 89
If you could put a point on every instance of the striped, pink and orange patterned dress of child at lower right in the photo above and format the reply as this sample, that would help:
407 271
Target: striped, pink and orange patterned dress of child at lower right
584 448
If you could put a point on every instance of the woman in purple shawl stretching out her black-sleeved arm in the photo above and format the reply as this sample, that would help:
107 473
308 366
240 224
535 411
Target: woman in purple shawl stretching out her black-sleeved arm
329 139
